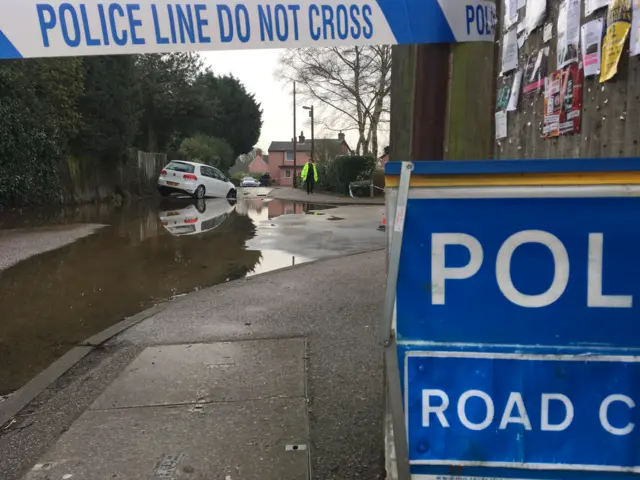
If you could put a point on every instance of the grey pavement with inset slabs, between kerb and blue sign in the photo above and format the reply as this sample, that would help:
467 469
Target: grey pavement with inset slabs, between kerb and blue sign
278 376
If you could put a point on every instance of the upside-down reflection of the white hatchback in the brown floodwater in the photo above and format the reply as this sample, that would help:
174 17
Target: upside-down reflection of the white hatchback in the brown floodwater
202 216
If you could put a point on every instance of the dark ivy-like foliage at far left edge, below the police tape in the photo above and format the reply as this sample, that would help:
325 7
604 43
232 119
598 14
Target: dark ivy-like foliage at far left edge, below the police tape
38 117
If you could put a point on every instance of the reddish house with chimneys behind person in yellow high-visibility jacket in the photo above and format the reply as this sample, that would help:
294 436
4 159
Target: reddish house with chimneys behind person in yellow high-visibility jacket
281 155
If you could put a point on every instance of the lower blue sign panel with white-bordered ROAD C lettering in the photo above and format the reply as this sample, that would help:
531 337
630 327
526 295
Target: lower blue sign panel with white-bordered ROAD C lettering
528 411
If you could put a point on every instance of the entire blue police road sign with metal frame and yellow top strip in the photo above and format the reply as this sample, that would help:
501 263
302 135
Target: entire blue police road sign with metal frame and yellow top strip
516 326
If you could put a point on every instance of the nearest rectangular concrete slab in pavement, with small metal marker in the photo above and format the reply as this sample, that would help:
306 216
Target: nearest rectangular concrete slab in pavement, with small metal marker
252 440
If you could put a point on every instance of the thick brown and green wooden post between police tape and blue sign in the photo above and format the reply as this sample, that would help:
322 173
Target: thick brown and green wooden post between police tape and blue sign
442 101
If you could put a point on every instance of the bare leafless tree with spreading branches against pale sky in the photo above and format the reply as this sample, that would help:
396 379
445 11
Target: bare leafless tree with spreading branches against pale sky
353 83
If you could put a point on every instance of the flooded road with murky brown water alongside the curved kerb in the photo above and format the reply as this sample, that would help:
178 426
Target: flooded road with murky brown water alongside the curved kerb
68 273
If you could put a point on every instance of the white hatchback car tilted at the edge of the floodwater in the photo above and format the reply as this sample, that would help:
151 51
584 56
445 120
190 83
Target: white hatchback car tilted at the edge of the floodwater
194 179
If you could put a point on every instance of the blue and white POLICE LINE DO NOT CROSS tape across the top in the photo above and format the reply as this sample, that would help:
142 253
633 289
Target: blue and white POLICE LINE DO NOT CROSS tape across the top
34 28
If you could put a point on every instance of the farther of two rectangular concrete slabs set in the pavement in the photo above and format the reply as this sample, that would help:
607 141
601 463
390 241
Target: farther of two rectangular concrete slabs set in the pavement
216 372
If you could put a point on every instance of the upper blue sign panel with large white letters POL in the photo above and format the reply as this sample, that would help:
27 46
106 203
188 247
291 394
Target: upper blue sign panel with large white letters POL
521 271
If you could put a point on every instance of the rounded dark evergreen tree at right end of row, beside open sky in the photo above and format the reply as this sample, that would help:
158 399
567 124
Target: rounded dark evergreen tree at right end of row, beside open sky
228 111
